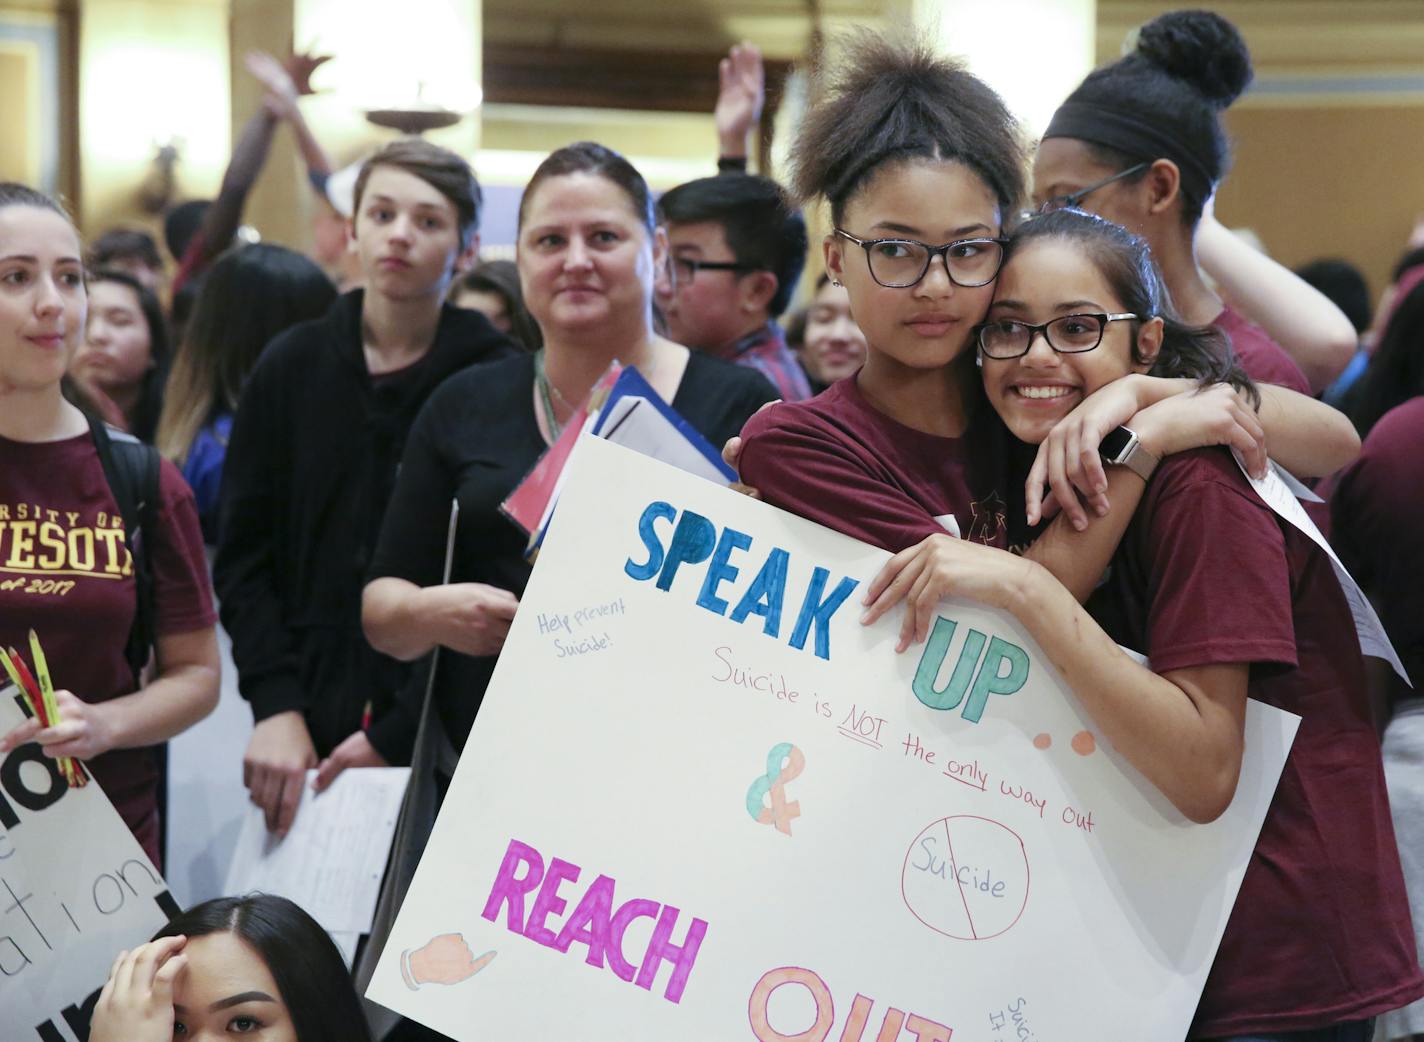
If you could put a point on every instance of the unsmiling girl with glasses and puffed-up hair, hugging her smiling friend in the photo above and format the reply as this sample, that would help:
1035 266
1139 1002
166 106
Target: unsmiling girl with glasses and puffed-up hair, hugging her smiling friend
921 163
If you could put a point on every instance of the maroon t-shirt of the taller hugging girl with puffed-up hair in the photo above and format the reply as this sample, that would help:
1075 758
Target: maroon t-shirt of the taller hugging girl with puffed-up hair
842 463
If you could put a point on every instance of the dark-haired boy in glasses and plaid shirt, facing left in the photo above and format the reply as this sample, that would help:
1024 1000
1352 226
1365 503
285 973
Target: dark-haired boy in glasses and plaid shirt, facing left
738 247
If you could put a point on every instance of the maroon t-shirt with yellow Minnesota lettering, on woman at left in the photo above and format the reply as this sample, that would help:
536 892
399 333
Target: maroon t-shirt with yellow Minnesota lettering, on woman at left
66 574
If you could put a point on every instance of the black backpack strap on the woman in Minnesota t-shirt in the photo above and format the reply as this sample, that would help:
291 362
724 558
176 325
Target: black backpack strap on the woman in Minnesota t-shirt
132 470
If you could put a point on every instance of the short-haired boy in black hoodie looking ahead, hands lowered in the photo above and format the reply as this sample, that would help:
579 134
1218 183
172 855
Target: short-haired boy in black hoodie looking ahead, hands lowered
313 463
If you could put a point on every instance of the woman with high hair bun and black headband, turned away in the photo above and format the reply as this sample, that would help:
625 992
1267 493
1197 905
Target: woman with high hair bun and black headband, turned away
1141 143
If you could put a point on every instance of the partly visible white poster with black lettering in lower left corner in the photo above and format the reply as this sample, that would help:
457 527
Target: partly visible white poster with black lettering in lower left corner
76 889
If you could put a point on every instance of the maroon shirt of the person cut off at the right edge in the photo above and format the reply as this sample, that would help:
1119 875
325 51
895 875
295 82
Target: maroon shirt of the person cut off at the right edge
1379 513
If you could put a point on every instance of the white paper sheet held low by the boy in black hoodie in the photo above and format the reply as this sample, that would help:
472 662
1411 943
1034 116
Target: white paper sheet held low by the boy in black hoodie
333 861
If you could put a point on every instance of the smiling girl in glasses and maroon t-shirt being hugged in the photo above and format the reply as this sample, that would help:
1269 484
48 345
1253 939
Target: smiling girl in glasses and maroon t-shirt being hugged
1228 603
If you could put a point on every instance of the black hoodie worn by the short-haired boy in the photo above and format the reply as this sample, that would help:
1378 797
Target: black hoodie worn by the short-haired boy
310 469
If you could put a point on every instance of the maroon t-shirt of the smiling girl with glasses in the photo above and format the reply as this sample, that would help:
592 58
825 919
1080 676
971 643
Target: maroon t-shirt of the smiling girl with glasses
1208 574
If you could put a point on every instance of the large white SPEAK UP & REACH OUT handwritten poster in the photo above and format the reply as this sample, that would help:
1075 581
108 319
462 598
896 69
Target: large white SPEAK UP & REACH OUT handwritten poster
703 802
